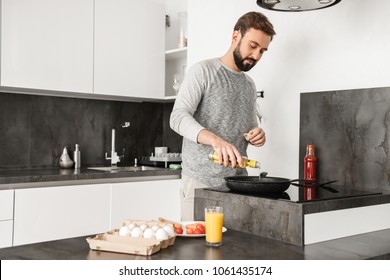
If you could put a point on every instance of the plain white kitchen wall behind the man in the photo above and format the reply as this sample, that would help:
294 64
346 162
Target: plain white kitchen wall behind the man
339 48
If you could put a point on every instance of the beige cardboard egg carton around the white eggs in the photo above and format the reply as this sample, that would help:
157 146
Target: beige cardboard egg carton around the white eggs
111 241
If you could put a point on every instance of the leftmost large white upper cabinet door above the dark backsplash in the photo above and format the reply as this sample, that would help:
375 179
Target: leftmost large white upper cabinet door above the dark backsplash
47 44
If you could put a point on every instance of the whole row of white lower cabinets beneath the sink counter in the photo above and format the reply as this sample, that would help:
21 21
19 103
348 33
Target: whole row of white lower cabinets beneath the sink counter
52 213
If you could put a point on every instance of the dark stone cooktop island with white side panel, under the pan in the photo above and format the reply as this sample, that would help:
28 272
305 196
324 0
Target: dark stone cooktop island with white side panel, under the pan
299 222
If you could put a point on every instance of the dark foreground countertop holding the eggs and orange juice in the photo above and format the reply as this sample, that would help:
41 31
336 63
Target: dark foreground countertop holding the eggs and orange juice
236 246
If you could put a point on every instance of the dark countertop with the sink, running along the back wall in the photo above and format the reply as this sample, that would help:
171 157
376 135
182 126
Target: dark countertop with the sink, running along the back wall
40 177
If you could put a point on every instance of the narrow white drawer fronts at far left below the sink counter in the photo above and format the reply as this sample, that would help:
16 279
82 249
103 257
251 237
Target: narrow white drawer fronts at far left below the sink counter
6 217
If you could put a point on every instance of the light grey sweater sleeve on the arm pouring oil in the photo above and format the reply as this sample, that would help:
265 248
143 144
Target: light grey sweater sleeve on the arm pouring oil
182 119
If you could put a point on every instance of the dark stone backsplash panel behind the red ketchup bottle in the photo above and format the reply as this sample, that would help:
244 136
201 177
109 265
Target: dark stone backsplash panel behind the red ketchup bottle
351 133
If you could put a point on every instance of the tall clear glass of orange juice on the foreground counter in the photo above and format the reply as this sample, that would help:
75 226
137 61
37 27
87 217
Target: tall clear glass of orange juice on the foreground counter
214 221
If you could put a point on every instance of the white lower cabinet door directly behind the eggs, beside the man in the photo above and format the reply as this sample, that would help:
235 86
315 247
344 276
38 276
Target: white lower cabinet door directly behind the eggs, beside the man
145 200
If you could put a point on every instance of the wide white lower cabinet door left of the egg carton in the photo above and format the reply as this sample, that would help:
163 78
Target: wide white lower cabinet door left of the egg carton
50 213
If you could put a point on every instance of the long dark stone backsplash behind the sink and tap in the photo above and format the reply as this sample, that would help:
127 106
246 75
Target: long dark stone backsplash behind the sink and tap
35 129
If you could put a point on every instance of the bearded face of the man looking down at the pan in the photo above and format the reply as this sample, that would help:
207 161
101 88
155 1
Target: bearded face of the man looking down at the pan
250 48
